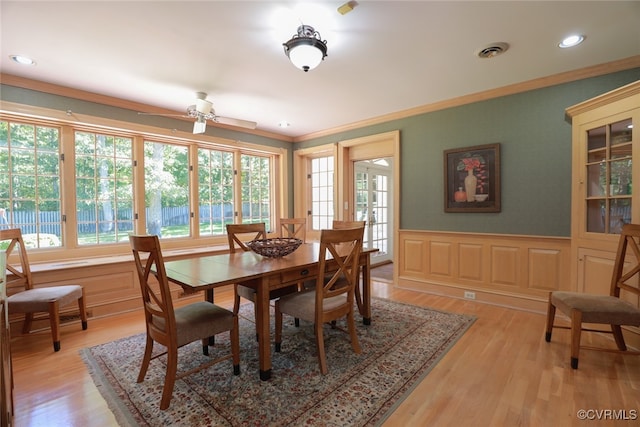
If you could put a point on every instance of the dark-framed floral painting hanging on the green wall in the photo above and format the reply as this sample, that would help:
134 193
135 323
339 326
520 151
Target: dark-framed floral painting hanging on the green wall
472 179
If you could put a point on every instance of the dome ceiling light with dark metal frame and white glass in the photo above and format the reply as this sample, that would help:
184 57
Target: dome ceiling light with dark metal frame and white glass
306 49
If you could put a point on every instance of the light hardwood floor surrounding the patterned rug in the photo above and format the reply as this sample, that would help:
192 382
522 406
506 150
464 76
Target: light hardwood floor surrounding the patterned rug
500 373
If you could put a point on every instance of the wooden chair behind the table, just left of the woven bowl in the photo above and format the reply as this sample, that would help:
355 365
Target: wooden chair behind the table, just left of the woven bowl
238 235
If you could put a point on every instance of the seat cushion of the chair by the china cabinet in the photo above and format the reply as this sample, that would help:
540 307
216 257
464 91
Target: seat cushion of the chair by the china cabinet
597 308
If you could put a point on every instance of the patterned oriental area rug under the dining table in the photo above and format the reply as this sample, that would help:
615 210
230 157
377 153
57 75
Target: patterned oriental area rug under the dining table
399 348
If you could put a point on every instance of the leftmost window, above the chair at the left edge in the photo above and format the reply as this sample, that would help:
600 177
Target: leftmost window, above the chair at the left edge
30 182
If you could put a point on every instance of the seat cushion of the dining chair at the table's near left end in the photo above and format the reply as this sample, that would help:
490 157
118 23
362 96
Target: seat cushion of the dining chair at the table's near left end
201 319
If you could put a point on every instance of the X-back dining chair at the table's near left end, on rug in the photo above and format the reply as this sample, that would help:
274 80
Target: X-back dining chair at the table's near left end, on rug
176 327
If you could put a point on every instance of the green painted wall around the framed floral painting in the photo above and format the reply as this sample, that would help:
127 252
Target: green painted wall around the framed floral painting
535 143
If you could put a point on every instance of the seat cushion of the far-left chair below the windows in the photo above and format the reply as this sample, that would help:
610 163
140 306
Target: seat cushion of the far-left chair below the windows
38 299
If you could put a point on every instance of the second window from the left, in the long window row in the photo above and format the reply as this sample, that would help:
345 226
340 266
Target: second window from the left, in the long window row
104 188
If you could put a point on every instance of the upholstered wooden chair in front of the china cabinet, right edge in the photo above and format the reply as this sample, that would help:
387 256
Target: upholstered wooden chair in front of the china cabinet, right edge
620 307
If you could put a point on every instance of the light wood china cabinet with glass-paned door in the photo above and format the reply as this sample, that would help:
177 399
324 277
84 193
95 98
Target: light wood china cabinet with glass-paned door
605 182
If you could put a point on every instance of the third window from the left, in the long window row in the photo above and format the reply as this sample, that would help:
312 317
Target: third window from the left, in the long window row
166 183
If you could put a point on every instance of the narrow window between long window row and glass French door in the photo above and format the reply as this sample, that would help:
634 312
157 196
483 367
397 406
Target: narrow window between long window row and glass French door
322 192
